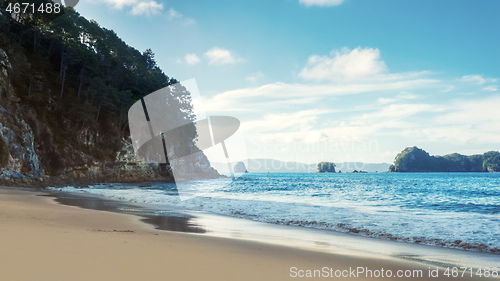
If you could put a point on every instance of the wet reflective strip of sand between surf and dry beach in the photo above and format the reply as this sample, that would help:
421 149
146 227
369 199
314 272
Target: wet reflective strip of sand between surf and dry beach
306 238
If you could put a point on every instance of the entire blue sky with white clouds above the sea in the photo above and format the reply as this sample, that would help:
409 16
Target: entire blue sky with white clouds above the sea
330 80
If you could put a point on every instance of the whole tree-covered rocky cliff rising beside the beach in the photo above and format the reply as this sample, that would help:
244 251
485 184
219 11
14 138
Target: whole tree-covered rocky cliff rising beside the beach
66 85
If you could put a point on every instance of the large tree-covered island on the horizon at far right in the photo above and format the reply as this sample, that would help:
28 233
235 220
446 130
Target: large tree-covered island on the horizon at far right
414 159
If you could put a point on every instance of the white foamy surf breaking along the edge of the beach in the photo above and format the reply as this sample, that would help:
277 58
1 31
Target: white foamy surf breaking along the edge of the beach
250 211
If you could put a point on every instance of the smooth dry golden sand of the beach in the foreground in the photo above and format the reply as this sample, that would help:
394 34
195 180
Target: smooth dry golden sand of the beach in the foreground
43 240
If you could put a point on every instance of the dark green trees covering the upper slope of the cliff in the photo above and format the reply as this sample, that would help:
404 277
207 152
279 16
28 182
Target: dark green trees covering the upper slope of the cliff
78 80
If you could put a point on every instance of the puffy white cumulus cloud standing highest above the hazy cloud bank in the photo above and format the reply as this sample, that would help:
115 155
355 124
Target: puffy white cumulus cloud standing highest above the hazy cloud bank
344 65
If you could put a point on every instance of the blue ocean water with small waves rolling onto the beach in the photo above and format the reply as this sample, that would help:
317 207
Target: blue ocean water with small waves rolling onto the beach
456 210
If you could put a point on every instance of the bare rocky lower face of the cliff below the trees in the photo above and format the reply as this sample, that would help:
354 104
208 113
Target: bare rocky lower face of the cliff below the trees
30 154
